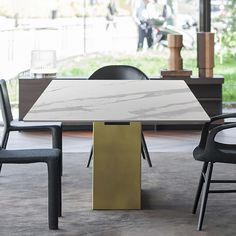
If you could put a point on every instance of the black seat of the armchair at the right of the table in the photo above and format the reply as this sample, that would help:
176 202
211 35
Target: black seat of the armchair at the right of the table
224 153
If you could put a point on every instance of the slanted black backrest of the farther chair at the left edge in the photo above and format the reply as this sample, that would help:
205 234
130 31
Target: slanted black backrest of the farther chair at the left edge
5 104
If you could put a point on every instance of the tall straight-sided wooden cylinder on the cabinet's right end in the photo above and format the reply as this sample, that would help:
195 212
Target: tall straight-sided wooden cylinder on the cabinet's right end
205 54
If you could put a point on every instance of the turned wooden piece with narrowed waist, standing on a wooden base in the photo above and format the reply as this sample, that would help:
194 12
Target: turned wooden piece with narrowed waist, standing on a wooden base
175 43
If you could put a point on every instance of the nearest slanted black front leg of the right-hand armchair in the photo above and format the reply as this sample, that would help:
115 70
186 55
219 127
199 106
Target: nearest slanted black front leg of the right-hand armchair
205 195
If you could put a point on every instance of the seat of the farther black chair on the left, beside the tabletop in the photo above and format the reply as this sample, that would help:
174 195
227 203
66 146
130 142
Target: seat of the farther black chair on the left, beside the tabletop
28 125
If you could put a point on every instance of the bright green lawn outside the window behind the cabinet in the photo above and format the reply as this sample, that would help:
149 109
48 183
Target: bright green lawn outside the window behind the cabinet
151 63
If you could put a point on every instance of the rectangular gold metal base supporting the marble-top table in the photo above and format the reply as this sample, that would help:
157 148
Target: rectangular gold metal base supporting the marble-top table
116 165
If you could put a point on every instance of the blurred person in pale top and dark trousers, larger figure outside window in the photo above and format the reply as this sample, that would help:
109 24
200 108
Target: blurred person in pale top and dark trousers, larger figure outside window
143 20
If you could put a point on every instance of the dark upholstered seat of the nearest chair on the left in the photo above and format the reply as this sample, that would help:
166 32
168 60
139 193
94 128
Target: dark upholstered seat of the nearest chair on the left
28 155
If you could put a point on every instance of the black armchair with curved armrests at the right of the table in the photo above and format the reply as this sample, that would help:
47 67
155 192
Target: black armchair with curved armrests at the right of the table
210 151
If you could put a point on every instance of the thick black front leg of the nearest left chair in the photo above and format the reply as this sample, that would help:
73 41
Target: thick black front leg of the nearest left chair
53 177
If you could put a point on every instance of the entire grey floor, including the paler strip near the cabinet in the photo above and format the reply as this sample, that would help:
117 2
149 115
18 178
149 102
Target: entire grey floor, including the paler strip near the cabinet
167 191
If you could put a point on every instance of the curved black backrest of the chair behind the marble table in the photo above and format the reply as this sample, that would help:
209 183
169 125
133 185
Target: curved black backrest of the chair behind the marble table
118 72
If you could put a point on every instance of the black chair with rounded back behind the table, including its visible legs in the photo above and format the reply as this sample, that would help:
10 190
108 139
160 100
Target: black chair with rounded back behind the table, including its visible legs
121 72
